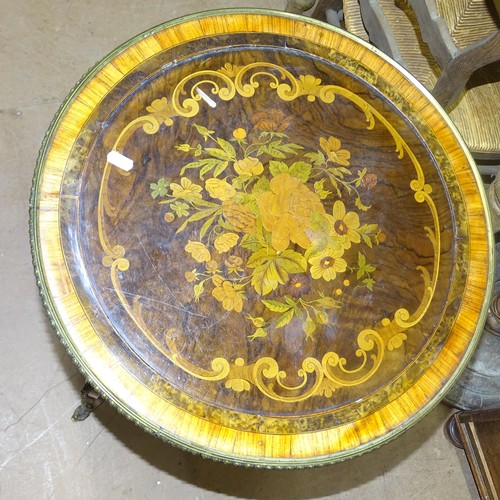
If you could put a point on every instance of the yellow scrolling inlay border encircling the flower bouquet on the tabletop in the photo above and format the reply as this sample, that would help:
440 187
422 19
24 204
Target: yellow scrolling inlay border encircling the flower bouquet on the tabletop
319 377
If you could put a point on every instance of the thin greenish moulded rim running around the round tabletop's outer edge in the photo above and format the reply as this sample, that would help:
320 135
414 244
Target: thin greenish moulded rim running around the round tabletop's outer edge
144 423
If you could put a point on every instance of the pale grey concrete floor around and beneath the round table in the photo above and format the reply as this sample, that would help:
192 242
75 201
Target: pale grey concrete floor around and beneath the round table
45 46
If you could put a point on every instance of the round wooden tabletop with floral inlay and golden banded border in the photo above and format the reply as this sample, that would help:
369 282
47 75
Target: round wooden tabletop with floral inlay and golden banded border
260 239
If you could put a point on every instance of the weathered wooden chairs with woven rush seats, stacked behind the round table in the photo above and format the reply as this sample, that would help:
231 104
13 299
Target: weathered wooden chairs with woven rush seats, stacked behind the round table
453 48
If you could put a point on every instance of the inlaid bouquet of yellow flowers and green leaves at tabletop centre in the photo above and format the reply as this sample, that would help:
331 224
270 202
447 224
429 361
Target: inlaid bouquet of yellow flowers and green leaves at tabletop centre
259 201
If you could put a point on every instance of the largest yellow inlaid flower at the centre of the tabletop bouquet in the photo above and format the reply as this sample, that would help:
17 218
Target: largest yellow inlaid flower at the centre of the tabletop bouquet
287 209
